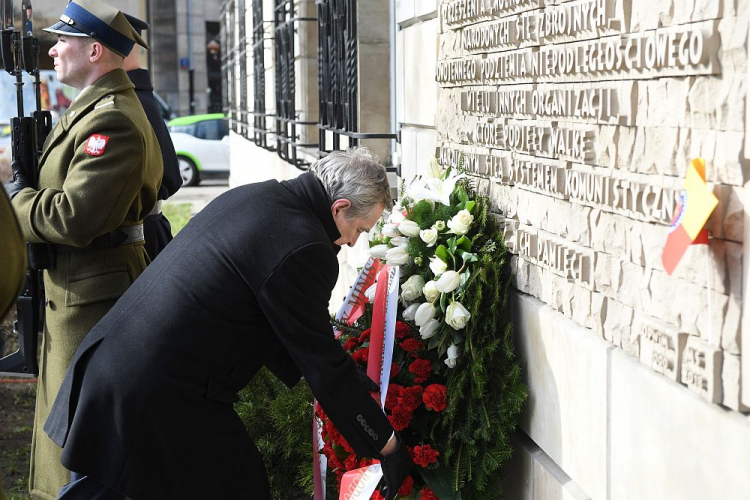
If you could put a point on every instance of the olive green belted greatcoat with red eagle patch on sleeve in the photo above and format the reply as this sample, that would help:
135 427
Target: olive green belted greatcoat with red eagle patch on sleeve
87 188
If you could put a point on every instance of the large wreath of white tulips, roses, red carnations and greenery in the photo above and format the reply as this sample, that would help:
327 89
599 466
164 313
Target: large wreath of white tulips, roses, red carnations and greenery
455 390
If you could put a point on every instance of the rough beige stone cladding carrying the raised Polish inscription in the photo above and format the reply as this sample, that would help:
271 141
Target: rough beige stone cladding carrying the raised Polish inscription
579 119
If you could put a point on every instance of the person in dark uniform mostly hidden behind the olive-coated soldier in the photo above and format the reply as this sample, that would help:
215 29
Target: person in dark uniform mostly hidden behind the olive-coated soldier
156 228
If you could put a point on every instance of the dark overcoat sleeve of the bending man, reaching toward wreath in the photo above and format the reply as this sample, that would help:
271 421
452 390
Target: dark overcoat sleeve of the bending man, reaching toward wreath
294 299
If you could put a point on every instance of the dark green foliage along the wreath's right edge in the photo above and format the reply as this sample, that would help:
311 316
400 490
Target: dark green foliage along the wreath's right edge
485 390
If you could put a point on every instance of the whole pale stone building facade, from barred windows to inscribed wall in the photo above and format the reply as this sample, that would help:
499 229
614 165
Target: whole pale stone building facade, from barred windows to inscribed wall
580 120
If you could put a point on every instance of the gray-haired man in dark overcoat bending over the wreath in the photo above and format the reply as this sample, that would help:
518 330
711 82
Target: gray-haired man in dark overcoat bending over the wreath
146 407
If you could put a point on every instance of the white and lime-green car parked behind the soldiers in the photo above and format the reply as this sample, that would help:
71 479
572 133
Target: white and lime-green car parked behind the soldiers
202 146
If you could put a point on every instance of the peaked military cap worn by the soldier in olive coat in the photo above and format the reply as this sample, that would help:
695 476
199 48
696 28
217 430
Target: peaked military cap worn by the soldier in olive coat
100 21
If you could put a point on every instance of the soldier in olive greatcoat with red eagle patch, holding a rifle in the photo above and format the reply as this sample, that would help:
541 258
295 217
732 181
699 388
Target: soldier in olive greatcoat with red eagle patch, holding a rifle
99 175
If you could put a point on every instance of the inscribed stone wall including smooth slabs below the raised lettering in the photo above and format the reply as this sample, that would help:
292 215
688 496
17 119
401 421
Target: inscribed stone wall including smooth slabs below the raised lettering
579 119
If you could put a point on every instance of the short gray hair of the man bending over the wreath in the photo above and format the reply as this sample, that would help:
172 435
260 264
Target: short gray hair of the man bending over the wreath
354 175
